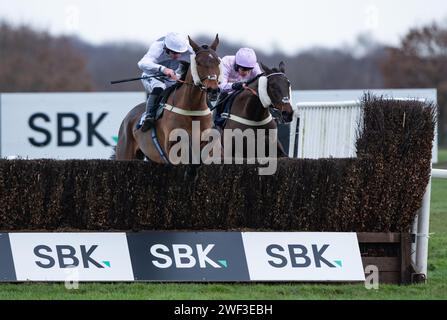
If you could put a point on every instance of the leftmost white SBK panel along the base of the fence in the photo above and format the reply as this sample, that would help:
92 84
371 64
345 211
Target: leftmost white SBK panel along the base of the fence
71 256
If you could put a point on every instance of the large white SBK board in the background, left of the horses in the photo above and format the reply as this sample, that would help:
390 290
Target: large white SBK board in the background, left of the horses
63 125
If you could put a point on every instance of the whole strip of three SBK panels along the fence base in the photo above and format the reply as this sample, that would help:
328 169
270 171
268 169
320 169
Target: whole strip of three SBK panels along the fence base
181 256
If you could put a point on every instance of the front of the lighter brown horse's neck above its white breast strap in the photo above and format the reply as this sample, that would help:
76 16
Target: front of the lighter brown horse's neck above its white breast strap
190 96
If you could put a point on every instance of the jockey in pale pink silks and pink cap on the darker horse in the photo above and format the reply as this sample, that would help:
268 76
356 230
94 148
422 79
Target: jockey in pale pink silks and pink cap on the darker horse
237 70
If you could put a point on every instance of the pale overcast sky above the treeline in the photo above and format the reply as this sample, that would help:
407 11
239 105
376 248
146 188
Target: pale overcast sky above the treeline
287 25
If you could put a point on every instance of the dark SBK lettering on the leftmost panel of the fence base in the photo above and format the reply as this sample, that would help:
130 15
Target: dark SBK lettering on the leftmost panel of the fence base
66 256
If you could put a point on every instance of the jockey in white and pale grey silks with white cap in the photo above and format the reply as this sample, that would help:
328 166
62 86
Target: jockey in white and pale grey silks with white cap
163 58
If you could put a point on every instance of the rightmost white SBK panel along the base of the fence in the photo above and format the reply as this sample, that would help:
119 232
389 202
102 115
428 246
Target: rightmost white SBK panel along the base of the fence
303 256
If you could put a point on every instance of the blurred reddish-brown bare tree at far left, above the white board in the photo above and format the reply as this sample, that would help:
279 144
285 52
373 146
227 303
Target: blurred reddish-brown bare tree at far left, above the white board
35 61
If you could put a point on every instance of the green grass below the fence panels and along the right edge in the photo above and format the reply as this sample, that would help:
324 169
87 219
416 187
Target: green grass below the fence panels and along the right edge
436 287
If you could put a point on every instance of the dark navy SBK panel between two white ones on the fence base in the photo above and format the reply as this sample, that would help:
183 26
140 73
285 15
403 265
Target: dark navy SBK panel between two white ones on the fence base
188 256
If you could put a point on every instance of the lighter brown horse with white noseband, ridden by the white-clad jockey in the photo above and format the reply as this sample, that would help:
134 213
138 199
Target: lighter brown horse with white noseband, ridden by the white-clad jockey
185 105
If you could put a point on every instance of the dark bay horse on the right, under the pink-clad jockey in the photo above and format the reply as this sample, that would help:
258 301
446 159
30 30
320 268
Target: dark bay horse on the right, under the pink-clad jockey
270 90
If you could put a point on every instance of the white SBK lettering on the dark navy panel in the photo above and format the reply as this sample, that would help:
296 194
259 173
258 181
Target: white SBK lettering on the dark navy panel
184 256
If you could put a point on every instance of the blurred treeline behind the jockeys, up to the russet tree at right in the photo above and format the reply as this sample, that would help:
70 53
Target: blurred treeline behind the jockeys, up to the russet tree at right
35 61
